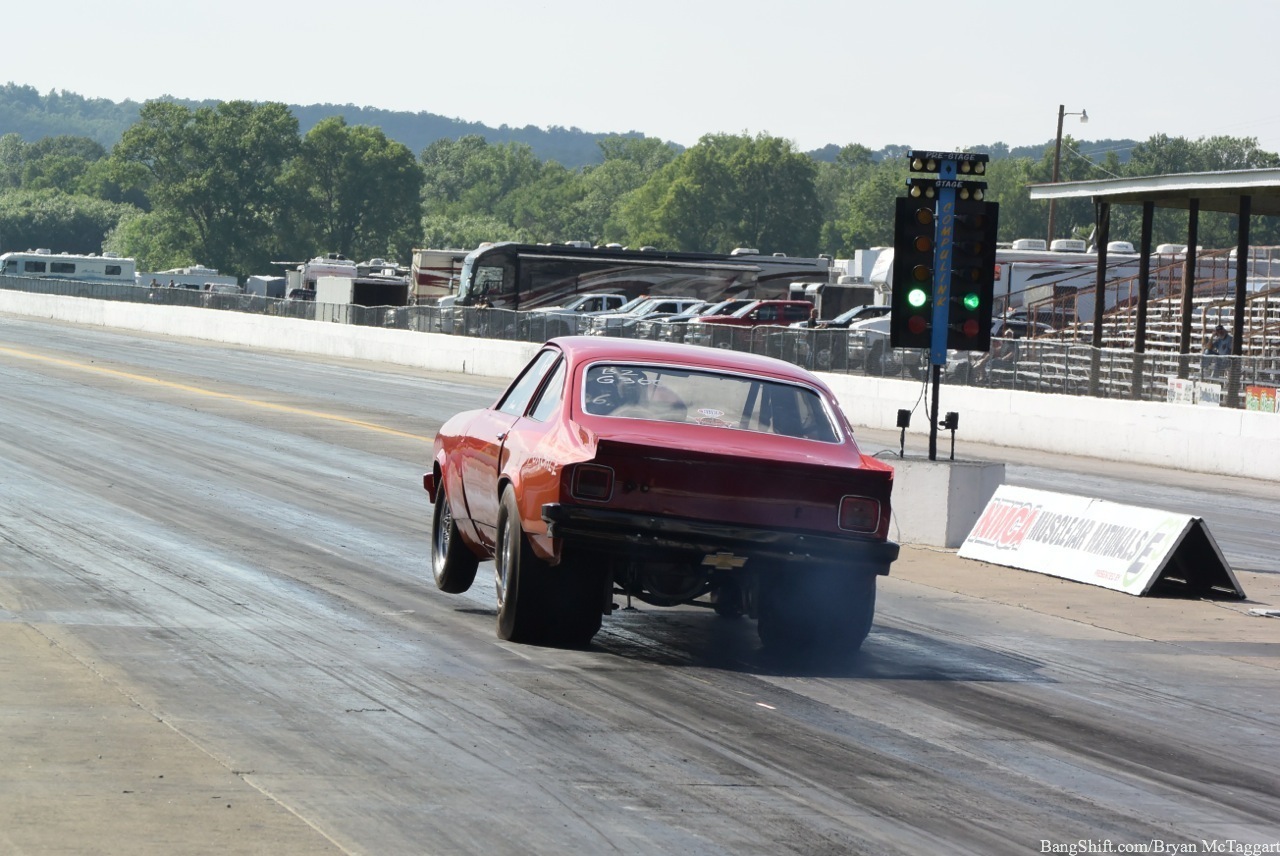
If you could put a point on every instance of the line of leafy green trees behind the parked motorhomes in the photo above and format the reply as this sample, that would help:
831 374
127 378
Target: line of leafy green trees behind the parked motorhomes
237 186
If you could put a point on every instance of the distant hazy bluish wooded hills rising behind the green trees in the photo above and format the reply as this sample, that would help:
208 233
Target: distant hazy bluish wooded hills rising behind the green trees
24 111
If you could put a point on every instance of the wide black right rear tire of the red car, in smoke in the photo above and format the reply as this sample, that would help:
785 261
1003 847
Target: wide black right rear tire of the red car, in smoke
824 612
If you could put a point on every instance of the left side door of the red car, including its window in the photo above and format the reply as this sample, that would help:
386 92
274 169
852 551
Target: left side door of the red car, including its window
481 452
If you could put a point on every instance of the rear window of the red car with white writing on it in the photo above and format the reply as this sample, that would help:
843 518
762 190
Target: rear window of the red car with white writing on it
715 400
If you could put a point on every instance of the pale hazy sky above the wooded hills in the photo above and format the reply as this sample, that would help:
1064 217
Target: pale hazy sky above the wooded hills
815 72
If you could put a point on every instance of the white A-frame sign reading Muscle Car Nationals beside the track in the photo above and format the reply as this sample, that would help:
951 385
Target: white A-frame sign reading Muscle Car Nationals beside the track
1127 548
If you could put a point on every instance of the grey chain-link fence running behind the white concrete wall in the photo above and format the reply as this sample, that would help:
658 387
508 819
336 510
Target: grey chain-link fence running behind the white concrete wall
1027 365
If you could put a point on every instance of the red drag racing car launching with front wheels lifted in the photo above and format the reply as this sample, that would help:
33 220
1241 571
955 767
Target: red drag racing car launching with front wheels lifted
669 474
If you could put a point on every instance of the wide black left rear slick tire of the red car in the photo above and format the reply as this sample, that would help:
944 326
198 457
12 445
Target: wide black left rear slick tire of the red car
540 605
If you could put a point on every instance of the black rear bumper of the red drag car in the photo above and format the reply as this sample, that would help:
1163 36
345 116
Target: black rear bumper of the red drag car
660 535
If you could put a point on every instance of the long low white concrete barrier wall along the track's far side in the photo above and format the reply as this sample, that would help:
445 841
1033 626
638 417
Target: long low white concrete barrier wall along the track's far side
1181 437
